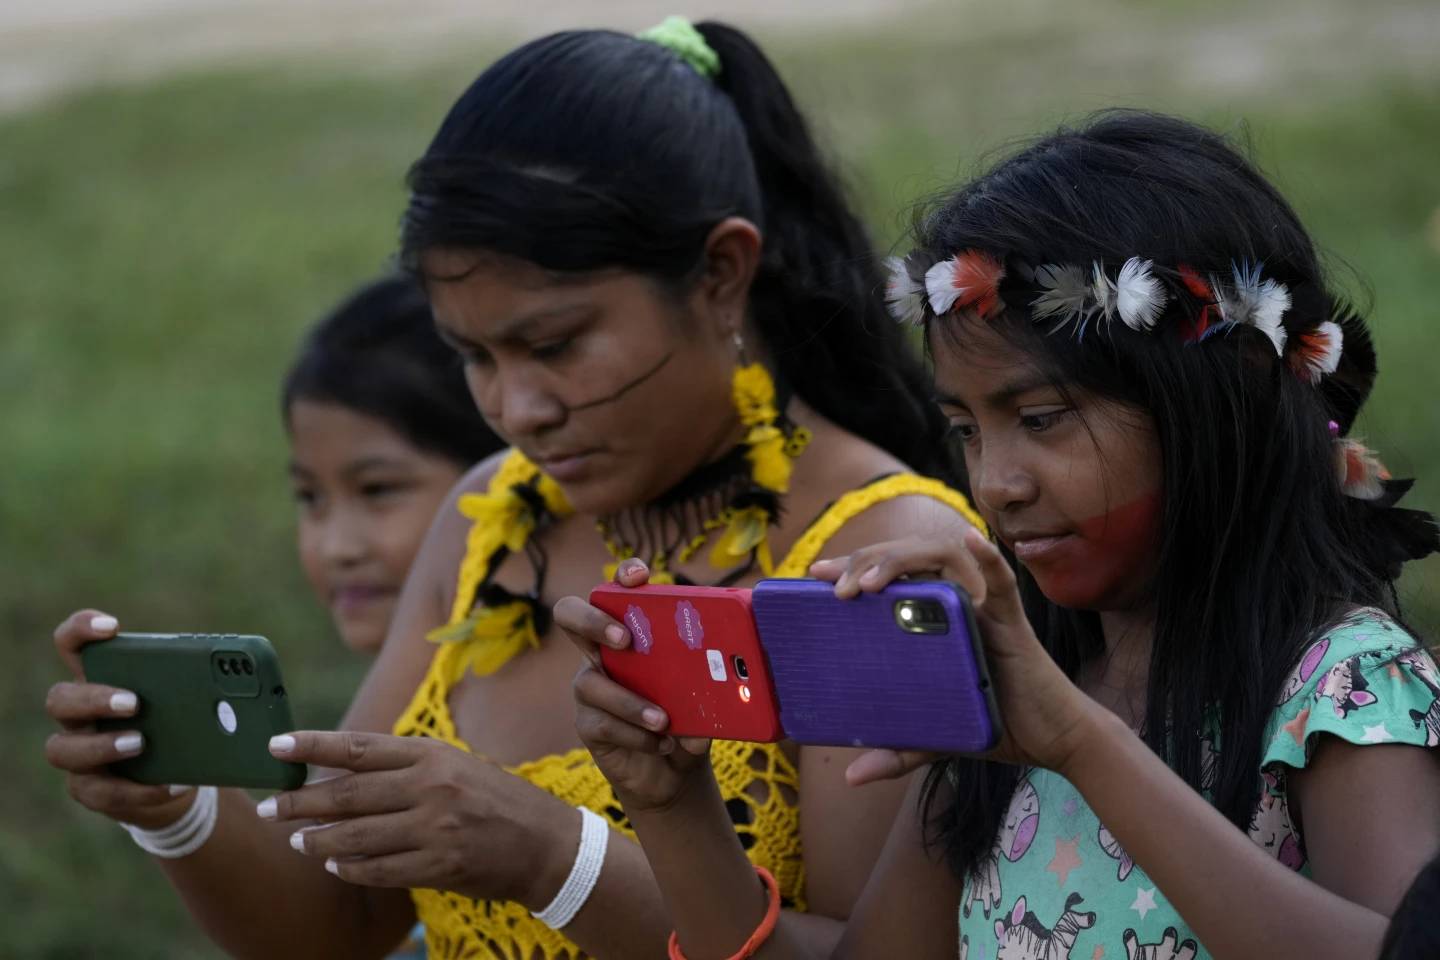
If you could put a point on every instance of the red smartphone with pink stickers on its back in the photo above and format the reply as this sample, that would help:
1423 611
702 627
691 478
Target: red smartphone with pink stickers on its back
696 654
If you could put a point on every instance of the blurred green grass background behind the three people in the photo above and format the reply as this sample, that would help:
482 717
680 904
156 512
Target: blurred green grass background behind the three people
185 185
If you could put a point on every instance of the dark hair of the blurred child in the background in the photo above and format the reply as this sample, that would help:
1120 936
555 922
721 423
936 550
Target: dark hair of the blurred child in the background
378 353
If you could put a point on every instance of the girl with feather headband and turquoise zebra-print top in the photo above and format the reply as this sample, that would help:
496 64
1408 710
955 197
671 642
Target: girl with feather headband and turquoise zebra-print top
1219 730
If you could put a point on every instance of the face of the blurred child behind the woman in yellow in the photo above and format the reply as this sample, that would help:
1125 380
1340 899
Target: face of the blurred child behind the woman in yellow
366 499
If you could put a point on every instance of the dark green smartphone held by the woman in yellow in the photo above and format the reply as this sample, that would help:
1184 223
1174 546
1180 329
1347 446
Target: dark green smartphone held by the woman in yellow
210 703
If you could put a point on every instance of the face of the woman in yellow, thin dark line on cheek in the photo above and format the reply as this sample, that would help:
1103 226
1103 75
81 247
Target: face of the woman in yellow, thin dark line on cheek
613 388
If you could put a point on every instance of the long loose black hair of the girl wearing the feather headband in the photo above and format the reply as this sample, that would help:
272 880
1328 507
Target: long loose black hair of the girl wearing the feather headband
1261 548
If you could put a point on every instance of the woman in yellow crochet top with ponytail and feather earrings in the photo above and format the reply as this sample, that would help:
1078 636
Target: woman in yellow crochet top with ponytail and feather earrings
669 312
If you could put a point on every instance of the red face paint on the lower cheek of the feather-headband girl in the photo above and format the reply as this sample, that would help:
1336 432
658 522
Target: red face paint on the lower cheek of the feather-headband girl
1105 562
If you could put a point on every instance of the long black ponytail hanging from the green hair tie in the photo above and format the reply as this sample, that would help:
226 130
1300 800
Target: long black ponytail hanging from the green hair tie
817 294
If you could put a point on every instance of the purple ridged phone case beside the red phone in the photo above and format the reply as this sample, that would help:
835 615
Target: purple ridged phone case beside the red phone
846 674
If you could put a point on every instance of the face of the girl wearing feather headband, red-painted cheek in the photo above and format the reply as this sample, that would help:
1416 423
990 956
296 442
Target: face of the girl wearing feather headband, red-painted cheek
1069 481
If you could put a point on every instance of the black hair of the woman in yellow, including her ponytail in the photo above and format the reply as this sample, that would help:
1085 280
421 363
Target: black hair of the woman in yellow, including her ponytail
590 150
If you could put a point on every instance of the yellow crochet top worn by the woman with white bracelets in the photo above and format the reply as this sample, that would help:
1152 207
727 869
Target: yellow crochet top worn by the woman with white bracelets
760 782
